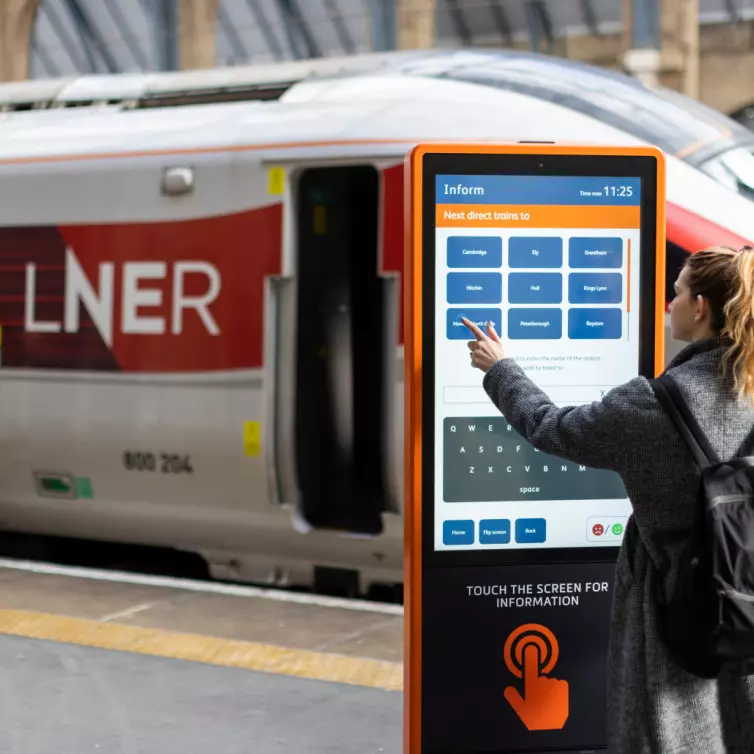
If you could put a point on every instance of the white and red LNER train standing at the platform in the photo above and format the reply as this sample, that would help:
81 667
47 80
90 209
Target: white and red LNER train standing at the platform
201 288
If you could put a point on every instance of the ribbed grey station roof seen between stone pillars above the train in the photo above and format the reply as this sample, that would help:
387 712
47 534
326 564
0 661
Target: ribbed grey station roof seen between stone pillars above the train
129 36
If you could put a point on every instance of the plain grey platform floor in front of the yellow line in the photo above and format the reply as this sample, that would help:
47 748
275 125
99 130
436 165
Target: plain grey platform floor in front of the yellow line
58 697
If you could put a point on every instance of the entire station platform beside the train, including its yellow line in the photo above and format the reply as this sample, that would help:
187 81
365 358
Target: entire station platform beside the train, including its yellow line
119 663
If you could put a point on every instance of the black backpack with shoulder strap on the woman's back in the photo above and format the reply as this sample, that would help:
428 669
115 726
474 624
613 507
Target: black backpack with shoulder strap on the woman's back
707 623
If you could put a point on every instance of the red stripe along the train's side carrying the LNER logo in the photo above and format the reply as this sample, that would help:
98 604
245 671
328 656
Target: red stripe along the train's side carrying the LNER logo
143 335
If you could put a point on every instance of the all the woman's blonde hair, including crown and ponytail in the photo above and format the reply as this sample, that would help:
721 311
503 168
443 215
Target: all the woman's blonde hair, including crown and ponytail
725 277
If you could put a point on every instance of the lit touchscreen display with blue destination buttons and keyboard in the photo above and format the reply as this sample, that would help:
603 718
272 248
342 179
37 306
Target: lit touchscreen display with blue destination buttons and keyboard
553 263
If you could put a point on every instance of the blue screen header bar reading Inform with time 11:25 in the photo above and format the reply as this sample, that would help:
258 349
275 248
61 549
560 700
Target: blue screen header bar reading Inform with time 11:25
538 190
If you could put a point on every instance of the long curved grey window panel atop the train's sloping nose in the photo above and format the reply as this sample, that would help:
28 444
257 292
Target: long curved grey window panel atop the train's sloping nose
675 123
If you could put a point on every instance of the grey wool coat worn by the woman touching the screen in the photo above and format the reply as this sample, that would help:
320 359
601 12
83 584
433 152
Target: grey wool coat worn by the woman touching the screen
654 707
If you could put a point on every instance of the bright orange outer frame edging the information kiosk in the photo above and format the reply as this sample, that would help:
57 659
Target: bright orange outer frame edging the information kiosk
415 199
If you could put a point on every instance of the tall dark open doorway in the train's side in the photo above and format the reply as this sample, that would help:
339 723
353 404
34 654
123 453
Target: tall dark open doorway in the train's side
340 385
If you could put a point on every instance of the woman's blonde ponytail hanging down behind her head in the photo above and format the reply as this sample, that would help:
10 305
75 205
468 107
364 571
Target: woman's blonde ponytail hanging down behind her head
739 323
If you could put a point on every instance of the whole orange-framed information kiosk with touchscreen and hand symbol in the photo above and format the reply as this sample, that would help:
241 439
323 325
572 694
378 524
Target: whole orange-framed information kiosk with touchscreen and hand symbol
510 552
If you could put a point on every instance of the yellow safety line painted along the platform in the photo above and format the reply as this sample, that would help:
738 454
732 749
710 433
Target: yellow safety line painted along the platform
265 658
